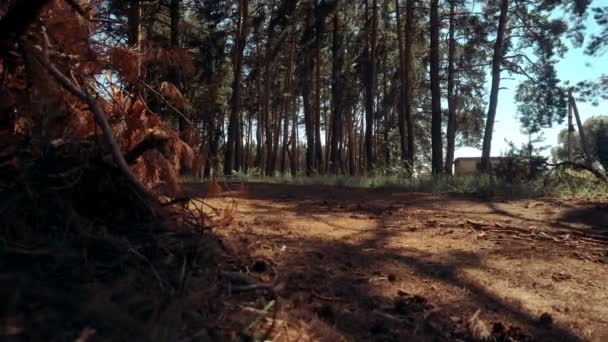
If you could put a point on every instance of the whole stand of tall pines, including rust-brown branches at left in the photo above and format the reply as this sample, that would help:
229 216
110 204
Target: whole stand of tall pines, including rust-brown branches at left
286 87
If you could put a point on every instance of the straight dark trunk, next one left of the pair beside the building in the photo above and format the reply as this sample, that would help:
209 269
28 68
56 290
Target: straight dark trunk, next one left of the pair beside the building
410 33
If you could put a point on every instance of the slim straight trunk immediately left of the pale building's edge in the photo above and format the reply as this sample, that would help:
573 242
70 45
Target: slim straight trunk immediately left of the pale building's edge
451 133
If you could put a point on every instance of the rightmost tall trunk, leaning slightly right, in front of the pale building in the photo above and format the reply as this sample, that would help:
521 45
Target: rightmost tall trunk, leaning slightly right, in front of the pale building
496 68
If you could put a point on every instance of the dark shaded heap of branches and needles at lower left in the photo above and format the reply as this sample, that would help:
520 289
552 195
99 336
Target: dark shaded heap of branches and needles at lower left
86 257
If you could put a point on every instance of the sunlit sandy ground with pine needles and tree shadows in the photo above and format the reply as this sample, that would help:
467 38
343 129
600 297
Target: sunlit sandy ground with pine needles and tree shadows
383 265
